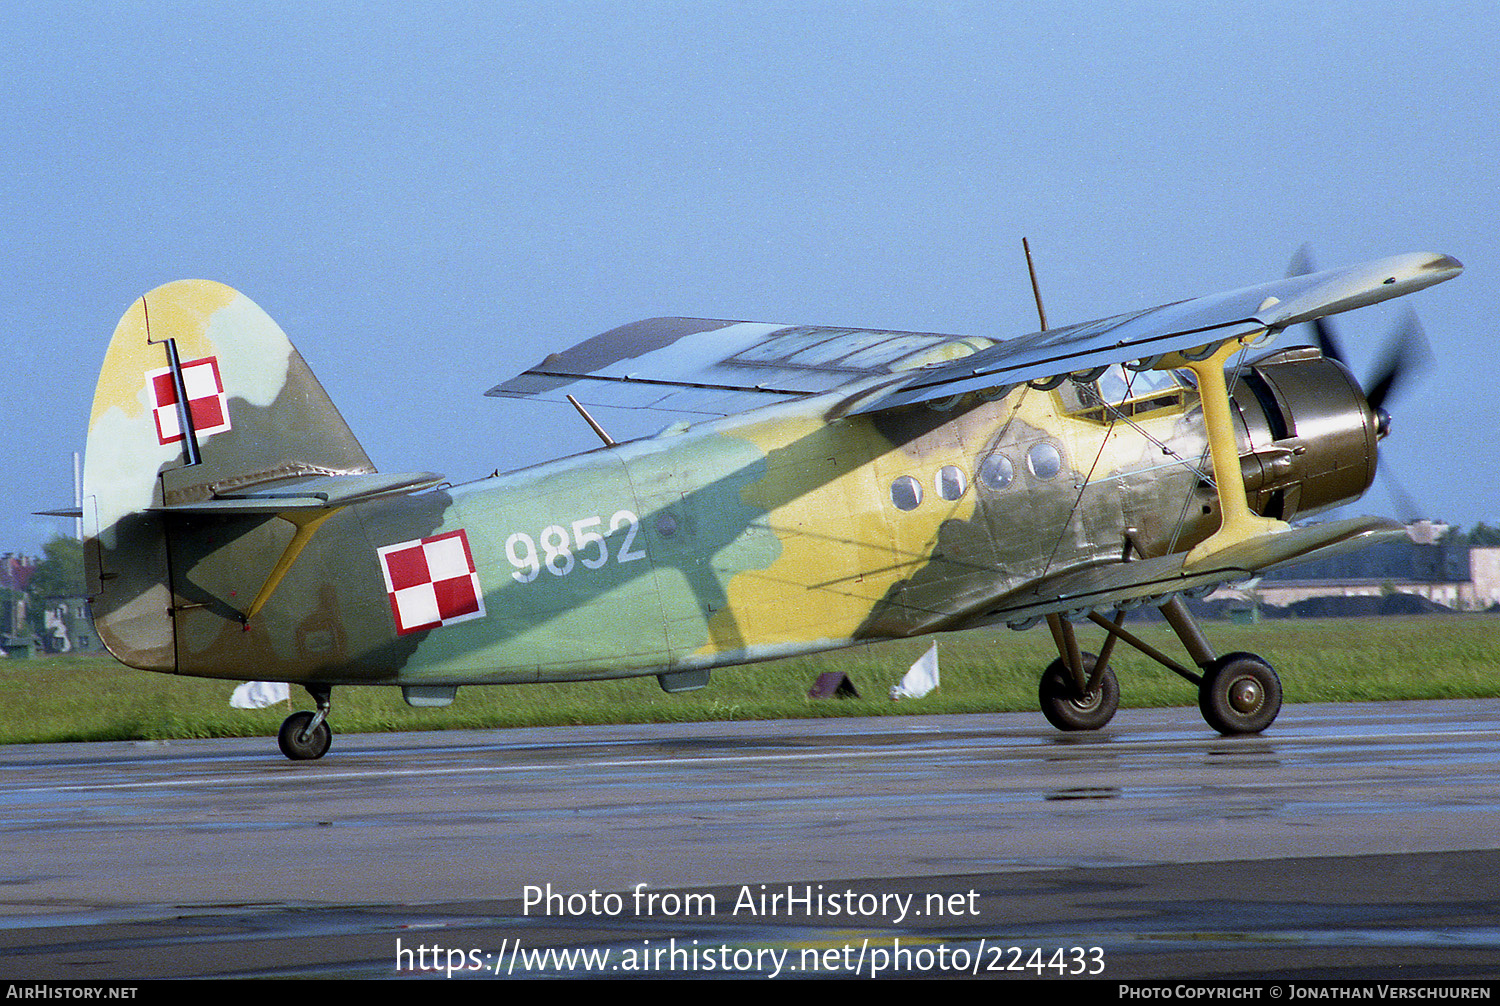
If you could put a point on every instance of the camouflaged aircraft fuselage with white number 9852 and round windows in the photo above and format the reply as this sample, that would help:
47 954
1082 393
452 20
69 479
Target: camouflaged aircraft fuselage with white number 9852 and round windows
758 536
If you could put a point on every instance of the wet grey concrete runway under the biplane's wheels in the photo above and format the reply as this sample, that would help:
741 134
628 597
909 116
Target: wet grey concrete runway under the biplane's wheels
1349 842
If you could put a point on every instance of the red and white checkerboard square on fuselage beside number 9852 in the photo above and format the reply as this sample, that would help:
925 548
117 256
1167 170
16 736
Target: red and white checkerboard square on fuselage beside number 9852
431 582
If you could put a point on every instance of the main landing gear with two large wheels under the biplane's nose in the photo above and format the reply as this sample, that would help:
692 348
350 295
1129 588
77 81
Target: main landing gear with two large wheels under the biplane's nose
1238 693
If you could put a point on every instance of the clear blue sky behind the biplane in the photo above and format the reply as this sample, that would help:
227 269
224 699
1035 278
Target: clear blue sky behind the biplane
433 199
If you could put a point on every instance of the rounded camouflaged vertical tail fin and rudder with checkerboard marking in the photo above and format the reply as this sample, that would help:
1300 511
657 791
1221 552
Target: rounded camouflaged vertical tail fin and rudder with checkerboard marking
202 394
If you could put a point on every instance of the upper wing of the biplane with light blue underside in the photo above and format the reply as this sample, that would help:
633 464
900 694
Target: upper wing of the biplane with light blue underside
727 367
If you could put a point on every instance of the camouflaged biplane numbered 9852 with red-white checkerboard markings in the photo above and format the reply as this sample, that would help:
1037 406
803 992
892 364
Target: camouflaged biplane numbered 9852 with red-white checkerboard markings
836 487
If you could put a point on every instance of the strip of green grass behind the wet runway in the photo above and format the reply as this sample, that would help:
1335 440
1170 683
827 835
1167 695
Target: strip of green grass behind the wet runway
985 671
